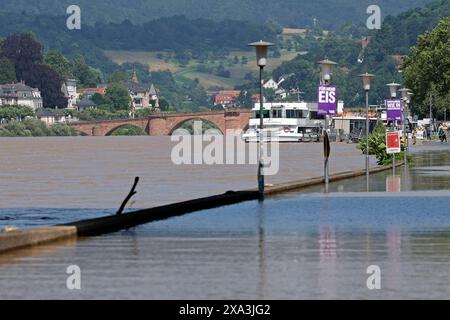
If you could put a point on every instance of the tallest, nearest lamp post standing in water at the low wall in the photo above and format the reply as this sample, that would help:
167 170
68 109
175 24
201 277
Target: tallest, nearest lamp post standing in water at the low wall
262 48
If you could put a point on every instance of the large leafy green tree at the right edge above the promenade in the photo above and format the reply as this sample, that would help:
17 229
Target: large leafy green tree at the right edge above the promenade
427 68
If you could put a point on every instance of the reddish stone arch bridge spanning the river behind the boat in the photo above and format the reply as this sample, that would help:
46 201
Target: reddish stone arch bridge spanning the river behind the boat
164 124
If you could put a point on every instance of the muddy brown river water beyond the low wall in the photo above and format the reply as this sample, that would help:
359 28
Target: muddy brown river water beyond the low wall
97 172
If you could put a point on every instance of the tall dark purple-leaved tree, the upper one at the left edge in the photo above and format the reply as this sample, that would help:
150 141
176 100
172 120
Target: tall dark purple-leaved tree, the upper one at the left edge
24 51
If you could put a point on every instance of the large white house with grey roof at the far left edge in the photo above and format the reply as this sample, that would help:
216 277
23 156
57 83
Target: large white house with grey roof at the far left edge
20 94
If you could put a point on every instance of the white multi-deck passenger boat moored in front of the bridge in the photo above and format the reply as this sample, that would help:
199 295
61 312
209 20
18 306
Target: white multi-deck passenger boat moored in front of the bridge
286 122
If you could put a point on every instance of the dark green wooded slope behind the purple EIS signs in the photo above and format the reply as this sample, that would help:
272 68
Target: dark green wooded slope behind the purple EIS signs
397 35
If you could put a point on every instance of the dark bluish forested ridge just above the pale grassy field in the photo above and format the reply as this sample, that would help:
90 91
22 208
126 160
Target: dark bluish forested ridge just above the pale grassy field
199 37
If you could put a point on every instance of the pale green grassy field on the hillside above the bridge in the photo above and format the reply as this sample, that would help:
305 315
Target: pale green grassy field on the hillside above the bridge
207 80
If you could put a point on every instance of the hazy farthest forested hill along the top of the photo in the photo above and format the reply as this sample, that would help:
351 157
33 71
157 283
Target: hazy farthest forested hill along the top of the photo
295 13
